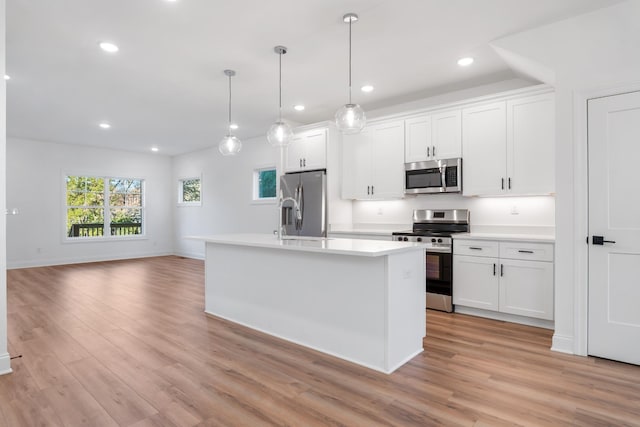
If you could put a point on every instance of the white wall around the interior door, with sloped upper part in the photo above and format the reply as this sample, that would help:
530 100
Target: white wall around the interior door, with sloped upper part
590 55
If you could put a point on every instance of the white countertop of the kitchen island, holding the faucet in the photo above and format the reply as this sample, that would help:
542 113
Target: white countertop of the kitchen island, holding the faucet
355 247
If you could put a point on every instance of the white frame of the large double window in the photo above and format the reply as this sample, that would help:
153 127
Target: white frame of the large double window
107 210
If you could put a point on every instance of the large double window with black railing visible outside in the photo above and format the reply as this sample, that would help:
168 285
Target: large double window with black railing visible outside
96 204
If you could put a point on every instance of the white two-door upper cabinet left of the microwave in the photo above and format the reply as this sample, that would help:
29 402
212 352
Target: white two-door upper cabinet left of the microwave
373 167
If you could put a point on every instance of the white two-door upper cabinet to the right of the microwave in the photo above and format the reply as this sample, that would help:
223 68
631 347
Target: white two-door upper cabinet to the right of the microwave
508 147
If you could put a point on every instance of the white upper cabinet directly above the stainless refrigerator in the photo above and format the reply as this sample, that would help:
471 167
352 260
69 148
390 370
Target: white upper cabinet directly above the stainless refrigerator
307 151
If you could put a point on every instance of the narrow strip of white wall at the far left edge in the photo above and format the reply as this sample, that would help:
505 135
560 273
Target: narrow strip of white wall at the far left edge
5 365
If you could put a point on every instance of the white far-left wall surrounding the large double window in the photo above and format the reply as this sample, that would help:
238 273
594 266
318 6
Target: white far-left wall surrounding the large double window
35 171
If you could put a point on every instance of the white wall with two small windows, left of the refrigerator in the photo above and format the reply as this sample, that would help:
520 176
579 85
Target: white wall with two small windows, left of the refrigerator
227 197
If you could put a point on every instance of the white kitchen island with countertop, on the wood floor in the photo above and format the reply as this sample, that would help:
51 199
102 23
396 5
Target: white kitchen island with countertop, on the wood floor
359 300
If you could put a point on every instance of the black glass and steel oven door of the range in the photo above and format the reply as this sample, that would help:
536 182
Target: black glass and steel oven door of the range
439 280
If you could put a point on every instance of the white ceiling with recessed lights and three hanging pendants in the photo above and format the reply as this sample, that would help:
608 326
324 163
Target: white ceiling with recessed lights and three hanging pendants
166 86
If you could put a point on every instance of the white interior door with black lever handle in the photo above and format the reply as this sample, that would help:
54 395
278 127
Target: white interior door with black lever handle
614 214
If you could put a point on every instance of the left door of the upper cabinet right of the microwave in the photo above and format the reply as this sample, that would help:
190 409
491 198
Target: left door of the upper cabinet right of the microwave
484 149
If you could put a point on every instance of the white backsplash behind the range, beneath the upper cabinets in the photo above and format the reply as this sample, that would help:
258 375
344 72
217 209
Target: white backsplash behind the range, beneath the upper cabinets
536 213
